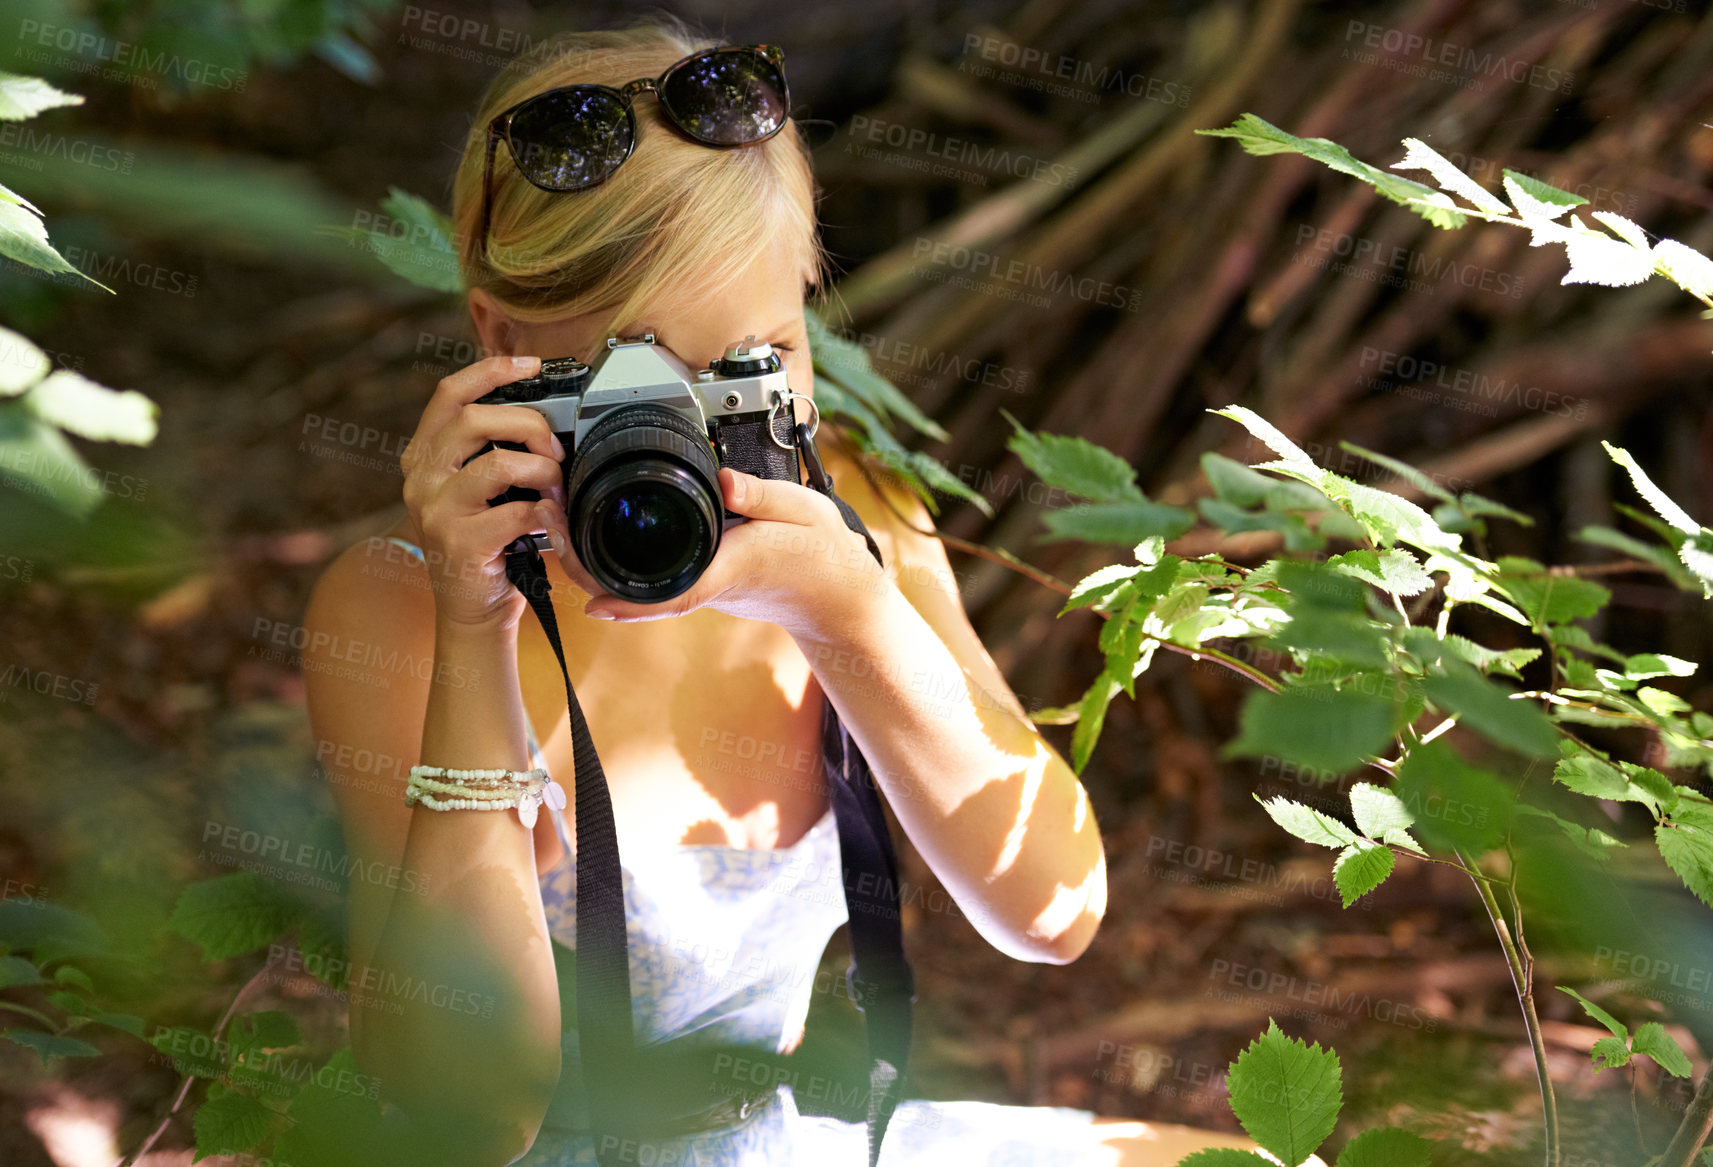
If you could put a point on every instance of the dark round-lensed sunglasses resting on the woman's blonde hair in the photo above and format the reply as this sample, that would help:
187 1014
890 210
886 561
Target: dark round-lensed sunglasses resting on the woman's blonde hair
576 136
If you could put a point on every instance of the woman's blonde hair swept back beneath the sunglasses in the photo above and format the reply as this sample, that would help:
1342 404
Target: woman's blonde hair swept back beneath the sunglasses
676 212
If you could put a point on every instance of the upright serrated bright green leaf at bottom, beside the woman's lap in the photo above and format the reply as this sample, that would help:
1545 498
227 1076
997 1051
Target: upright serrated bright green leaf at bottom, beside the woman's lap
1286 1094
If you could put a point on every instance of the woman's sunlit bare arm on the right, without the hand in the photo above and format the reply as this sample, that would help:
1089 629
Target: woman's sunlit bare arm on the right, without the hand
994 810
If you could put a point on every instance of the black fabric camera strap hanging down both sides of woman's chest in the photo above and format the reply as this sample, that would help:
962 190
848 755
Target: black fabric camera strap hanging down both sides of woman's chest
880 978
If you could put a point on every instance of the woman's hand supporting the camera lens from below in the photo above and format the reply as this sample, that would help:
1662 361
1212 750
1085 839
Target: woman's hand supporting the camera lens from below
794 563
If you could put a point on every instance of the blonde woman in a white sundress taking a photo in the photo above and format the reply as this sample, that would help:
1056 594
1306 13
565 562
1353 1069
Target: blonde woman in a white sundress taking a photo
707 707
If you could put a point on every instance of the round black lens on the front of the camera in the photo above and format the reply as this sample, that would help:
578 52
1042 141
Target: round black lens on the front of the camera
647 510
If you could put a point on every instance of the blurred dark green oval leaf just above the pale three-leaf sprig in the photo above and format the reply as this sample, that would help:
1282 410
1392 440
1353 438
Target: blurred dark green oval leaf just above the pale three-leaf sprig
1315 726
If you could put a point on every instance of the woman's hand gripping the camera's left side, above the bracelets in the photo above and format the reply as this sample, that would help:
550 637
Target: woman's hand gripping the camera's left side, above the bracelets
462 536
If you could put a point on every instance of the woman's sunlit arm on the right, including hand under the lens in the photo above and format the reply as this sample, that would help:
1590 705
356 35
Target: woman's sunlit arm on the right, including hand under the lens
993 808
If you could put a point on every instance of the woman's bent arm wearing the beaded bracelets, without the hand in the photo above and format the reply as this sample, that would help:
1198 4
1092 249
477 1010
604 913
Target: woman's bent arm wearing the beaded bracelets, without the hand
453 995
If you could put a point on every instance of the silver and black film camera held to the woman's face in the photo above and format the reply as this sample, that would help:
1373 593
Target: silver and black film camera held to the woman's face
645 440
